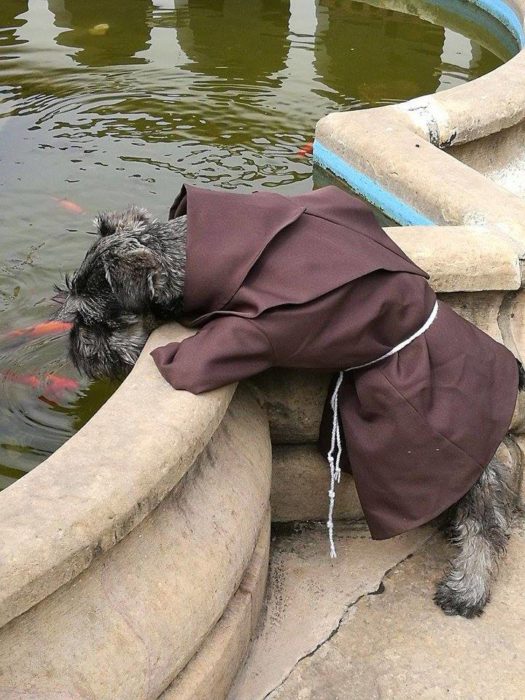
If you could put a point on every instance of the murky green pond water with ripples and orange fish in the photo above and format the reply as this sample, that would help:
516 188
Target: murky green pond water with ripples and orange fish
105 103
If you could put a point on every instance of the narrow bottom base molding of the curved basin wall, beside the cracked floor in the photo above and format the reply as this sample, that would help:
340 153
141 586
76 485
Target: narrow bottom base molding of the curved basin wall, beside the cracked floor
211 672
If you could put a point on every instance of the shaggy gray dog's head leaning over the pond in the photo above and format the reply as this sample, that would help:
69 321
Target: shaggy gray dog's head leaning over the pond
124 288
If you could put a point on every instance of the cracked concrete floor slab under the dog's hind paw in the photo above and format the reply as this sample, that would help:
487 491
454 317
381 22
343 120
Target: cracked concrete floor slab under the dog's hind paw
326 636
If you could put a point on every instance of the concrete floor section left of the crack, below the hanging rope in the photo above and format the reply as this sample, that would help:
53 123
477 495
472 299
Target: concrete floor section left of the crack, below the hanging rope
309 593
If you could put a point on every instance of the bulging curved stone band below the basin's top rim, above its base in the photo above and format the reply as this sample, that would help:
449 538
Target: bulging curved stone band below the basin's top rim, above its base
126 626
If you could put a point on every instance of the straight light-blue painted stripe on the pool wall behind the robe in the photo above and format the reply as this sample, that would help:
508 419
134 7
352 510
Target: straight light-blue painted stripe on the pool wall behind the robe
394 207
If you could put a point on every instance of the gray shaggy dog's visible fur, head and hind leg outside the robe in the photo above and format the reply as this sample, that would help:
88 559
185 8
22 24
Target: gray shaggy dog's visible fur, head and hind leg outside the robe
131 281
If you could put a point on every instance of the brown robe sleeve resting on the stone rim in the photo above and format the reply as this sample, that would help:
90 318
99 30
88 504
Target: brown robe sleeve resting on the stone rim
225 350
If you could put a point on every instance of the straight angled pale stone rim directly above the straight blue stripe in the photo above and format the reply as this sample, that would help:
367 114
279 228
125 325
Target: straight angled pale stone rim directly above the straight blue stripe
385 146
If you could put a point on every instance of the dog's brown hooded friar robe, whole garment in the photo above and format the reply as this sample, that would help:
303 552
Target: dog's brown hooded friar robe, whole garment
312 281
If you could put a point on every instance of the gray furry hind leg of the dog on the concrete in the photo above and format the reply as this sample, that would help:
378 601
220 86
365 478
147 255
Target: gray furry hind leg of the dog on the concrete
480 530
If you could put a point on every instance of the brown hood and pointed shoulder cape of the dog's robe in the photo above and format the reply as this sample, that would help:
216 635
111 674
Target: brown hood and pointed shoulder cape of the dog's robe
229 232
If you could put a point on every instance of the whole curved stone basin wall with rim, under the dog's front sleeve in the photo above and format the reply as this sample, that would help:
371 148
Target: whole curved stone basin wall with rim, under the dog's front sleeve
133 561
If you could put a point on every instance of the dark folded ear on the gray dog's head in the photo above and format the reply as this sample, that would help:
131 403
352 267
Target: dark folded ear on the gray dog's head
133 272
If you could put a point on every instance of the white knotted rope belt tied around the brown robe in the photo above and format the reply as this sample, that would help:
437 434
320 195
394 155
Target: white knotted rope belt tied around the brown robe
334 455
